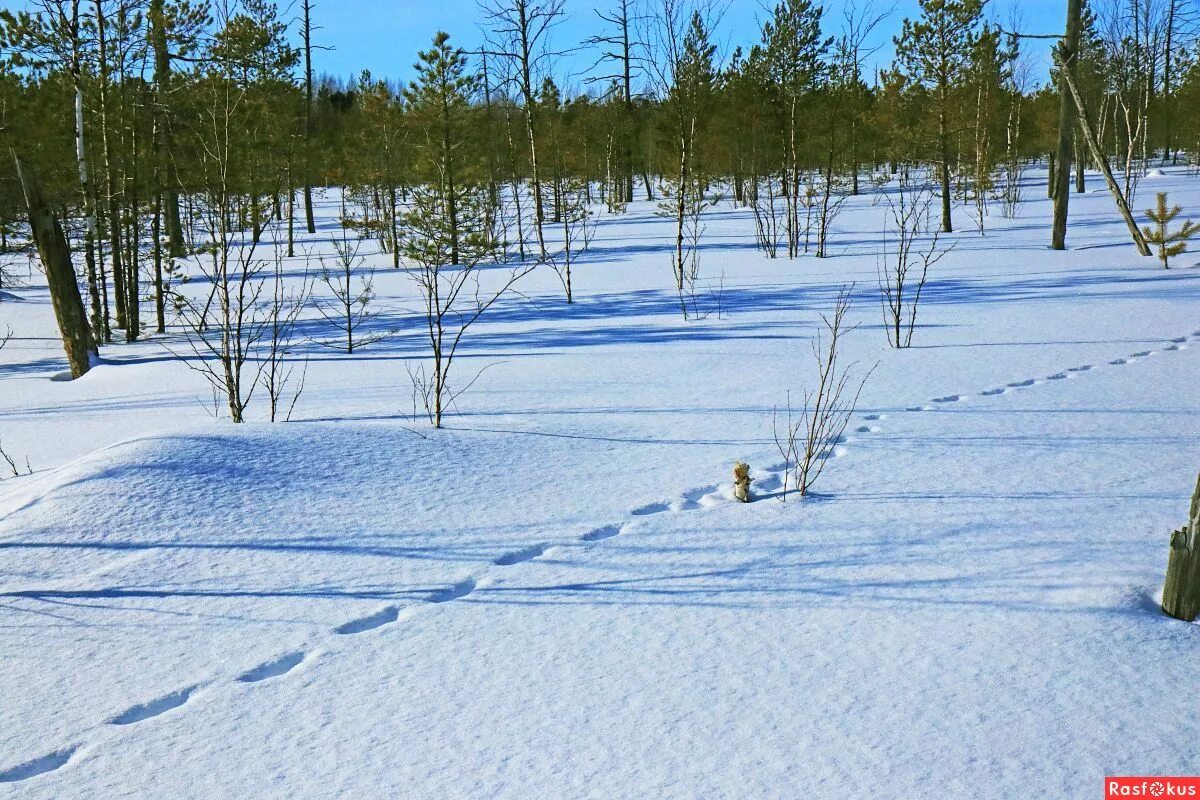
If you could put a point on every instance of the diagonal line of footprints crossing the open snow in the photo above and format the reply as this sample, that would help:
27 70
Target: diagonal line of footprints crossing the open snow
709 496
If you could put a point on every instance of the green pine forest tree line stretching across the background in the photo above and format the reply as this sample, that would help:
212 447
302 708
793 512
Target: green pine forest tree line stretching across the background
161 128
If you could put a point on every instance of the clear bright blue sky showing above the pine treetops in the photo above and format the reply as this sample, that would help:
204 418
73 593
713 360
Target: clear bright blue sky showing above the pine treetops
386 35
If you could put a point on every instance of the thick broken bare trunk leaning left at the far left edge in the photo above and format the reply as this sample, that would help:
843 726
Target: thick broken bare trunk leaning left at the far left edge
56 254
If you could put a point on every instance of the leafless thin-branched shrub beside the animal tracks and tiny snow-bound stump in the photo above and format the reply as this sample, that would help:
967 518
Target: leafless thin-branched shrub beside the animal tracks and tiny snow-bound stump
807 437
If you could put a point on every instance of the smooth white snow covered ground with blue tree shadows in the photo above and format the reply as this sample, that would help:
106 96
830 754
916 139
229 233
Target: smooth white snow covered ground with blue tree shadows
556 597
